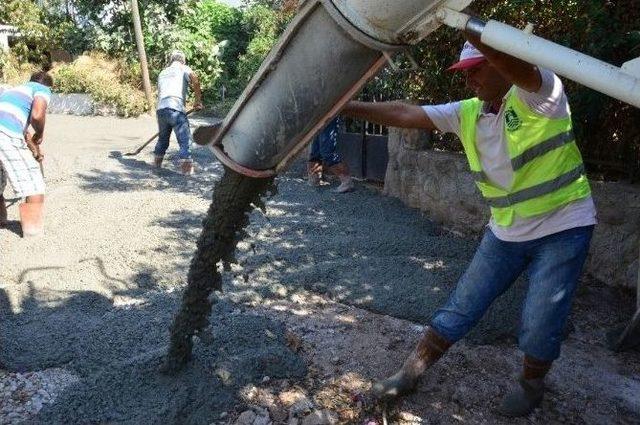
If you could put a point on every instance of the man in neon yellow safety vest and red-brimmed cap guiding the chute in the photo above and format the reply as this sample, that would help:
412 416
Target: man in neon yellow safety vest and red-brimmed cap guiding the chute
518 139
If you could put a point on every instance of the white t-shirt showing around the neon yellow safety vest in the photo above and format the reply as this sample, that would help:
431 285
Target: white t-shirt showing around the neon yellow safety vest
550 101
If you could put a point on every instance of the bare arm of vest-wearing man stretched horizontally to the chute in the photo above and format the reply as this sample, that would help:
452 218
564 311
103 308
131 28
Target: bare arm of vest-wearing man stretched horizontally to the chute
393 114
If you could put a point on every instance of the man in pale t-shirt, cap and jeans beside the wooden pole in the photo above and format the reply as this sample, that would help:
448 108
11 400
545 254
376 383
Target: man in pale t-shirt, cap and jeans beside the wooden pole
172 92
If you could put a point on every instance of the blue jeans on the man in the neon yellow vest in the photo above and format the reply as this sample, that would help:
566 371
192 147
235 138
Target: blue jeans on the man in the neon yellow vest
553 263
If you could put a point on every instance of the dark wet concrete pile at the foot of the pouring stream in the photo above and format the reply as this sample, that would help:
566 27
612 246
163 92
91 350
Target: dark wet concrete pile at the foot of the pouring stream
117 354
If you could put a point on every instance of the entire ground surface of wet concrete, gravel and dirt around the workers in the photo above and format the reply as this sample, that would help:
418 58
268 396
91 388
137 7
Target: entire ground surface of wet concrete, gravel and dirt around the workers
329 294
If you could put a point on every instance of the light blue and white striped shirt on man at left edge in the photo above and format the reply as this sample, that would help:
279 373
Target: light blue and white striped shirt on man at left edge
15 107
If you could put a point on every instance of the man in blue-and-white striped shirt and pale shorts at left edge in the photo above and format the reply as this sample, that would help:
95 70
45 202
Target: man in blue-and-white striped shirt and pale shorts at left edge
21 108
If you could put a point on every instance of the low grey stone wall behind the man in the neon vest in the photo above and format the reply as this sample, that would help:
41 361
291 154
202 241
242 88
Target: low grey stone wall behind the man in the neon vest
440 184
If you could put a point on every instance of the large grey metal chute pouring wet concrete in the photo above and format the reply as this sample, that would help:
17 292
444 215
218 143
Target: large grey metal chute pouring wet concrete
325 56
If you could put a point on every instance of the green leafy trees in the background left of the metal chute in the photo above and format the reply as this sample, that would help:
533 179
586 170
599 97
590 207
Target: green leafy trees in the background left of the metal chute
214 36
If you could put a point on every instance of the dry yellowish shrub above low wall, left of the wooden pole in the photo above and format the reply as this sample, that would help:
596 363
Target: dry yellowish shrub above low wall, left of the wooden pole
104 80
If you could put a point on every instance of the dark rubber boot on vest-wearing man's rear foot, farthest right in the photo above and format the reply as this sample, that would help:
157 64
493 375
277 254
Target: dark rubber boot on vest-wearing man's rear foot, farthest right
528 394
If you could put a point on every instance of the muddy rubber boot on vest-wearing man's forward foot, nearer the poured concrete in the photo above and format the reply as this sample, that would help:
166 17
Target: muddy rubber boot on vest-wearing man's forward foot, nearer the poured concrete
428 351
